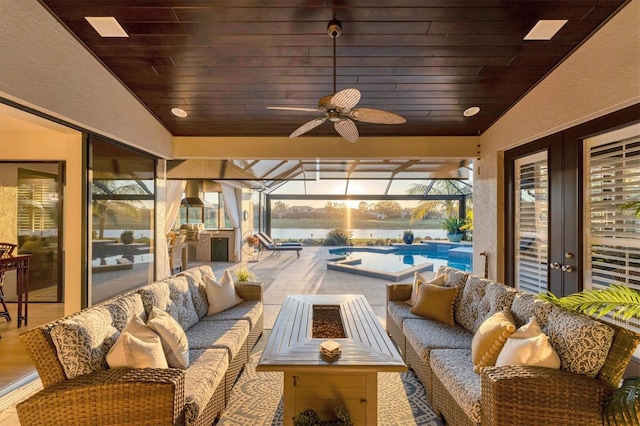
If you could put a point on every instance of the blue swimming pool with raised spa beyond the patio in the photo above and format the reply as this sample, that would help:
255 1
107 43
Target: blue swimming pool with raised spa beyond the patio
400 261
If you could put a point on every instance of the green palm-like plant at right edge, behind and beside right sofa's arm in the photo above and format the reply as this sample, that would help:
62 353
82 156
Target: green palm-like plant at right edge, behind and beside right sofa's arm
620 301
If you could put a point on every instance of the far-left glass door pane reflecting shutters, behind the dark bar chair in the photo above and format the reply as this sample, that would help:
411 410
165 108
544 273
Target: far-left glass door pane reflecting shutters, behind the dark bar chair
38 223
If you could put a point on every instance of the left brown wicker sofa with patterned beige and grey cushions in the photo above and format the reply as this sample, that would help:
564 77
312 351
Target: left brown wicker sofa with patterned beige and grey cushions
80 389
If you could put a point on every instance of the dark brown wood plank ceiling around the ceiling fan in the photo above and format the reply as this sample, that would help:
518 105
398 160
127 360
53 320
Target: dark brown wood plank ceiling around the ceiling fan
224 62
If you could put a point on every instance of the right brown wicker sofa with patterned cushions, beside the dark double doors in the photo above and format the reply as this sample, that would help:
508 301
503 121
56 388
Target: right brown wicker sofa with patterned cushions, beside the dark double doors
593 358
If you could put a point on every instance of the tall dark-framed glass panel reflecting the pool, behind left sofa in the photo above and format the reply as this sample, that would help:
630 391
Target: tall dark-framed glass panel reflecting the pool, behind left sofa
123 208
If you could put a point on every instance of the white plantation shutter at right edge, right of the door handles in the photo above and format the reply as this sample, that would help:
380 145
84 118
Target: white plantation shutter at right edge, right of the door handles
612 178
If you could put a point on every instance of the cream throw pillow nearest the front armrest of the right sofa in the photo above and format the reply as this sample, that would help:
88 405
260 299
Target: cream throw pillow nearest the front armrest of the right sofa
528 345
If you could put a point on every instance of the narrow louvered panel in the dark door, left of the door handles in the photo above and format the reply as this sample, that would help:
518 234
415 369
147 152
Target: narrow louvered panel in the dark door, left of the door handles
531 222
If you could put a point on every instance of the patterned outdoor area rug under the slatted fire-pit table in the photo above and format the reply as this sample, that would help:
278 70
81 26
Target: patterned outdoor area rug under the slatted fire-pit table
256 399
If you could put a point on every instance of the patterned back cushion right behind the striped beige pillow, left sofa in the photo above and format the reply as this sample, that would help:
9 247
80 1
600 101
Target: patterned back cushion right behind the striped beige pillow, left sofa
172 296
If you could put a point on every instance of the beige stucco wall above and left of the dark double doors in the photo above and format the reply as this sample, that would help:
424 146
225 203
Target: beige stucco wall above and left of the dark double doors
602 76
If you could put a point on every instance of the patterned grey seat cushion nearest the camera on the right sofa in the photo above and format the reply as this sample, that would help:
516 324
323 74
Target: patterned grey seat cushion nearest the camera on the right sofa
454 369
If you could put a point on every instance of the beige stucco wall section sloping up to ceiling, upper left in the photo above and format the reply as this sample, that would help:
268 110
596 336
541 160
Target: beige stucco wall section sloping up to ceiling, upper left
44 67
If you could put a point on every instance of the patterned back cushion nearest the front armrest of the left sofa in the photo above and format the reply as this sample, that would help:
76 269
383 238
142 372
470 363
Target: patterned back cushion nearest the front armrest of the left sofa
82 341
